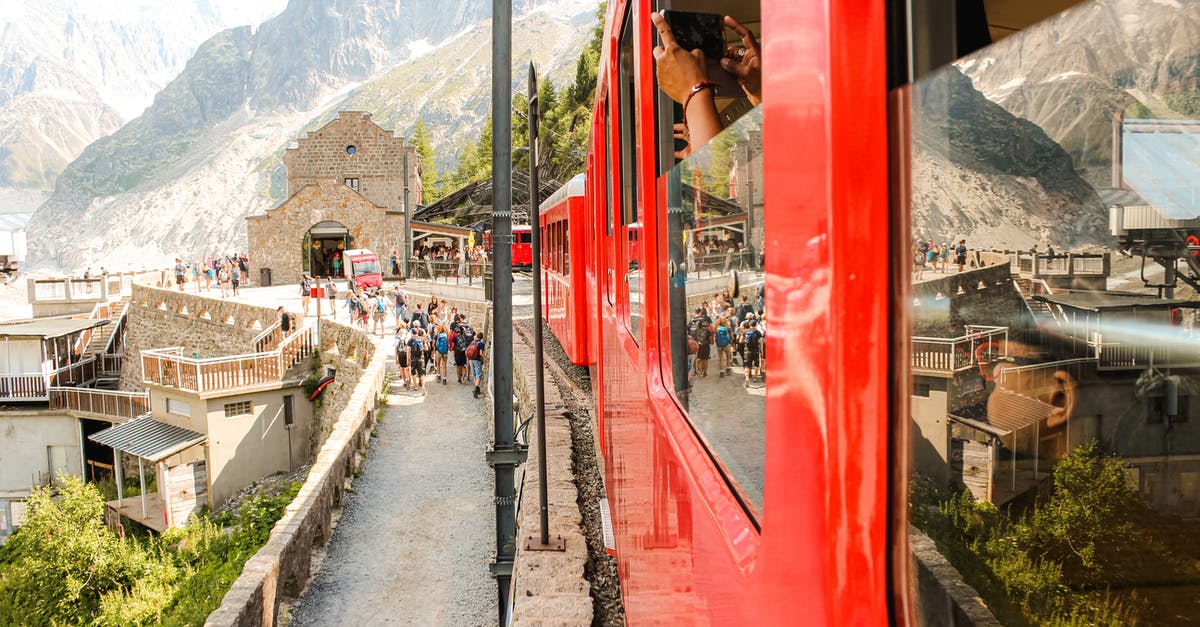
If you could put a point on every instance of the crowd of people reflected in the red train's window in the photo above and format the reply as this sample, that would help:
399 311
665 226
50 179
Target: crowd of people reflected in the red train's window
736 332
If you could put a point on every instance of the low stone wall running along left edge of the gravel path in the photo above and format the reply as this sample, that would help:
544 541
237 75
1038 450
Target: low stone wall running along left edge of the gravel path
281 568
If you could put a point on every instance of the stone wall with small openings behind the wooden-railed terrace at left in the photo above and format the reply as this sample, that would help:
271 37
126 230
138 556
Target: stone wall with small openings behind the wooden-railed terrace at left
161 318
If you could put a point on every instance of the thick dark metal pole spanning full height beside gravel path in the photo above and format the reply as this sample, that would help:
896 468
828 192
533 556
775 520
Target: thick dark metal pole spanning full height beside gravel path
506 456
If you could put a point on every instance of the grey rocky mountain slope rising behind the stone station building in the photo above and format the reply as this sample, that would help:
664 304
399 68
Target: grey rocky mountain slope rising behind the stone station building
181 178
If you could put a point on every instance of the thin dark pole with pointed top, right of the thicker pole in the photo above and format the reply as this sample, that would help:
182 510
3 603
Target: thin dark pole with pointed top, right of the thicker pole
536 246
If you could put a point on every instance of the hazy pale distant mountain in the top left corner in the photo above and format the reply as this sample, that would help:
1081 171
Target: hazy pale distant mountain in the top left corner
73 71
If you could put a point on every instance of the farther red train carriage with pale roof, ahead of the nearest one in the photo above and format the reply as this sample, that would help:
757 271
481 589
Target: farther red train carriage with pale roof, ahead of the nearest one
562 219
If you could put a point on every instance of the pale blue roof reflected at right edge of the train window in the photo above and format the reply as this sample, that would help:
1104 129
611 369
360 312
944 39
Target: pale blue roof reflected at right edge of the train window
1162 163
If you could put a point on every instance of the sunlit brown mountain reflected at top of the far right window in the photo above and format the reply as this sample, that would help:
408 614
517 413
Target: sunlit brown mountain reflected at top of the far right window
1070 75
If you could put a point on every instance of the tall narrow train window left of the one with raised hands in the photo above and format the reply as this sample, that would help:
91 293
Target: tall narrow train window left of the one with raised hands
632 286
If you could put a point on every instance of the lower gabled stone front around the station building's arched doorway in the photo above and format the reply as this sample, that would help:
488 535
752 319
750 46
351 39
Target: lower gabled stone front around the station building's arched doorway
277 238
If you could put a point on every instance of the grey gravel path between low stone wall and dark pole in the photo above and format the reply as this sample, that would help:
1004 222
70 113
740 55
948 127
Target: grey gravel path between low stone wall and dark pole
413 541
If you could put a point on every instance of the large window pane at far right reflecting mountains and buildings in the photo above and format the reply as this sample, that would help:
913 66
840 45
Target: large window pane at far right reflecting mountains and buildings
1052 303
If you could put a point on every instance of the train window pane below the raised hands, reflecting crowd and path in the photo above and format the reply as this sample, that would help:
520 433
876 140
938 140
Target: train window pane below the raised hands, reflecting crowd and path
719 321
